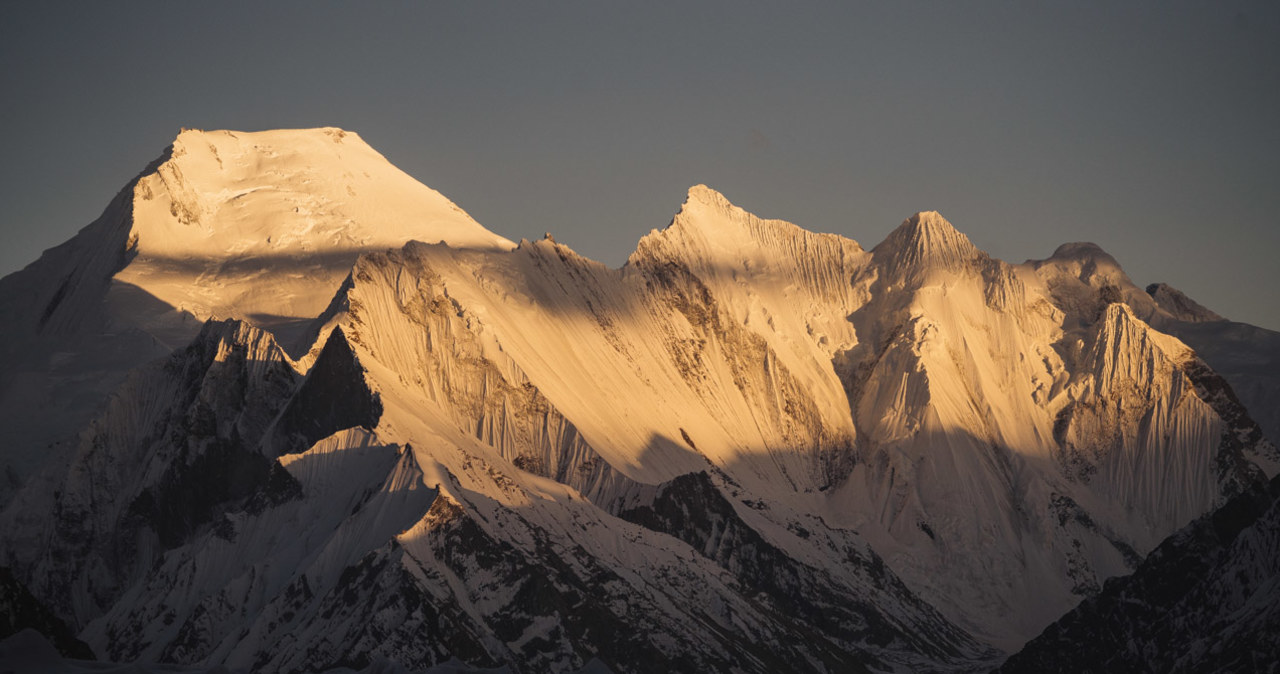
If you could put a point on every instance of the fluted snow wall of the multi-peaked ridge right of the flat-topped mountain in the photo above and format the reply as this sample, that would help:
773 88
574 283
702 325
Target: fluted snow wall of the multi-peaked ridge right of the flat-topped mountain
930 397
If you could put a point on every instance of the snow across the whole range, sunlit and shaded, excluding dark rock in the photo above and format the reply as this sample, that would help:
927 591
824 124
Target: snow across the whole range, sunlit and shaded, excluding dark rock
1004 437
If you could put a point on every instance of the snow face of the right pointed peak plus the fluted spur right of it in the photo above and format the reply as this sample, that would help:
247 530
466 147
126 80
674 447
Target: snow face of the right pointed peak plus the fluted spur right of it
977 388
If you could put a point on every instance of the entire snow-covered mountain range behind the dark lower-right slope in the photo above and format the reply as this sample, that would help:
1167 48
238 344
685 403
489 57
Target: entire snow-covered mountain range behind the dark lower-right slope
284 407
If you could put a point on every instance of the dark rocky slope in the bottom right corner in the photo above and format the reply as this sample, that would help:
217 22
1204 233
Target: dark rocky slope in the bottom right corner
1206 600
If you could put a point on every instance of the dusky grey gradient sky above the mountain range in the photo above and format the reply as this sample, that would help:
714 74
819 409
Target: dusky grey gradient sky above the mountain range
1151 129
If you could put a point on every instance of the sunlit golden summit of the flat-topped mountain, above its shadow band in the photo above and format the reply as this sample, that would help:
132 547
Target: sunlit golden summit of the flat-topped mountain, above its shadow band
248 192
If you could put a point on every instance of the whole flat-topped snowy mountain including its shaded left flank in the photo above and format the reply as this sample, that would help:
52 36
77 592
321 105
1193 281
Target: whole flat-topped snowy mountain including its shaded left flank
260 227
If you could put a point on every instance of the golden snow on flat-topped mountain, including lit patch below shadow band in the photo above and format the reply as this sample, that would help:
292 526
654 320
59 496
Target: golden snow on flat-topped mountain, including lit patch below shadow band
264 226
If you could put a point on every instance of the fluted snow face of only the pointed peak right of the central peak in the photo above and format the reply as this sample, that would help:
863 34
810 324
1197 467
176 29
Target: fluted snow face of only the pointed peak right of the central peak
956 384
